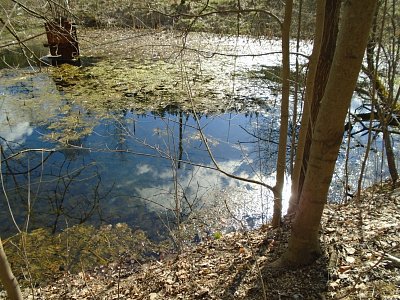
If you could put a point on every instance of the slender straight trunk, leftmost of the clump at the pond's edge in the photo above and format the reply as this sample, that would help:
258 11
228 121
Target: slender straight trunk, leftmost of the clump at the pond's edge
283 131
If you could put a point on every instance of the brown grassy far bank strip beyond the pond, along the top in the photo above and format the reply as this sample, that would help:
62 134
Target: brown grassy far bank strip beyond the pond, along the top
259 18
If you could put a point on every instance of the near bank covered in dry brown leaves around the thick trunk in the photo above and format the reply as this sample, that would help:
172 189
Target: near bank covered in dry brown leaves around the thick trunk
360 241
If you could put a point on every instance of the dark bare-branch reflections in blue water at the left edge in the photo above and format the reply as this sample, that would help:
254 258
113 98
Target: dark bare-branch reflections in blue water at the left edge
48 188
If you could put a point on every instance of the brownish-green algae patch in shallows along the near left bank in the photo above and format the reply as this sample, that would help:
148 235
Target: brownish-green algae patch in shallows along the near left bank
45 256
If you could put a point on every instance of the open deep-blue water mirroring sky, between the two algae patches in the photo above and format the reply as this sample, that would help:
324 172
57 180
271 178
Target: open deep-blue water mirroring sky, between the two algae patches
124 170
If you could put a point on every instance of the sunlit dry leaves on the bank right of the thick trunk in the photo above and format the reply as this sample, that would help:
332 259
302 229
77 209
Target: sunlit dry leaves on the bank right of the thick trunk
363 242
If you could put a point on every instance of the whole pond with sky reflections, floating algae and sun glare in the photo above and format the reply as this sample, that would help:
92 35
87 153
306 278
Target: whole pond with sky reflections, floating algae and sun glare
119 140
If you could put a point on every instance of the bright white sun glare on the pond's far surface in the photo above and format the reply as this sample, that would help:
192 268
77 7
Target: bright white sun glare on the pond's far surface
239 63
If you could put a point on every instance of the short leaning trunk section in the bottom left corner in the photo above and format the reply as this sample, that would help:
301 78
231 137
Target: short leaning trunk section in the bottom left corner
8 279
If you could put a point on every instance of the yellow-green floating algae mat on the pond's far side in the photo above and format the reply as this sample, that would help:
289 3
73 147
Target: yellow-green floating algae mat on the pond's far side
142 86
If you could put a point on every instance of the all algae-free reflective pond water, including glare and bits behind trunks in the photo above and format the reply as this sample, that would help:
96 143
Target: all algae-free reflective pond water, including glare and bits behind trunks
141 168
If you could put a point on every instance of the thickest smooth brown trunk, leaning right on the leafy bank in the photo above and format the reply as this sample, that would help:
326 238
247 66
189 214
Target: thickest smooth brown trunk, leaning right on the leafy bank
356 22
